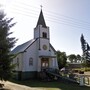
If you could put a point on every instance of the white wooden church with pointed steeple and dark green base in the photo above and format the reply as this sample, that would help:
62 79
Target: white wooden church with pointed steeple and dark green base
36 54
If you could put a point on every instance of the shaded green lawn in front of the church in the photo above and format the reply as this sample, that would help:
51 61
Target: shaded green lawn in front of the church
55 85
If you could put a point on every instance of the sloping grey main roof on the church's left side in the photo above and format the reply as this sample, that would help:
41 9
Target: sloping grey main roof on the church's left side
23 47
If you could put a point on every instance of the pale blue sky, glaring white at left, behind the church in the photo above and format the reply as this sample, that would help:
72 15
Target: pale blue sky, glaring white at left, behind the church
67 20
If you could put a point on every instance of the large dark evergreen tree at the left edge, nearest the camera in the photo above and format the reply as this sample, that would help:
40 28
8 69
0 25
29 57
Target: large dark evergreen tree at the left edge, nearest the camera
6 43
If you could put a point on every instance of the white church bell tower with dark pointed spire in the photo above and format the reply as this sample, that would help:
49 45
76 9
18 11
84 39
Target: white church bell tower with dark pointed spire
41 32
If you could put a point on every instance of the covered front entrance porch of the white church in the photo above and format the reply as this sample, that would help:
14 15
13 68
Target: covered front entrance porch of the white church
45 62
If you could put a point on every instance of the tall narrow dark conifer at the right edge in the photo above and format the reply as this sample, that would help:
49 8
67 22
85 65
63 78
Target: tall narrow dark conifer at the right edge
86 51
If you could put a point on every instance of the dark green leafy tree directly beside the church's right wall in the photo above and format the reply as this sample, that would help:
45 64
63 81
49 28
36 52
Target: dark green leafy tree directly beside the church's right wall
62 59
